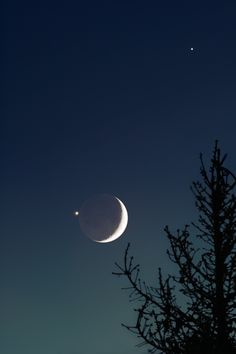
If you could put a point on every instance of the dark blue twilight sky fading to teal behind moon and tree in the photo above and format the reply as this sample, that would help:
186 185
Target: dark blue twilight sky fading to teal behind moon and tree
102 97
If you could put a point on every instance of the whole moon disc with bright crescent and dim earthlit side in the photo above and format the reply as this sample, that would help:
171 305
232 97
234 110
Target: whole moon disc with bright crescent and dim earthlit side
103 218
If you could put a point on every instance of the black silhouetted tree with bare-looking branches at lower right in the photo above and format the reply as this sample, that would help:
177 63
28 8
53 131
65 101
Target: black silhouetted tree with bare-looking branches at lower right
206 276
